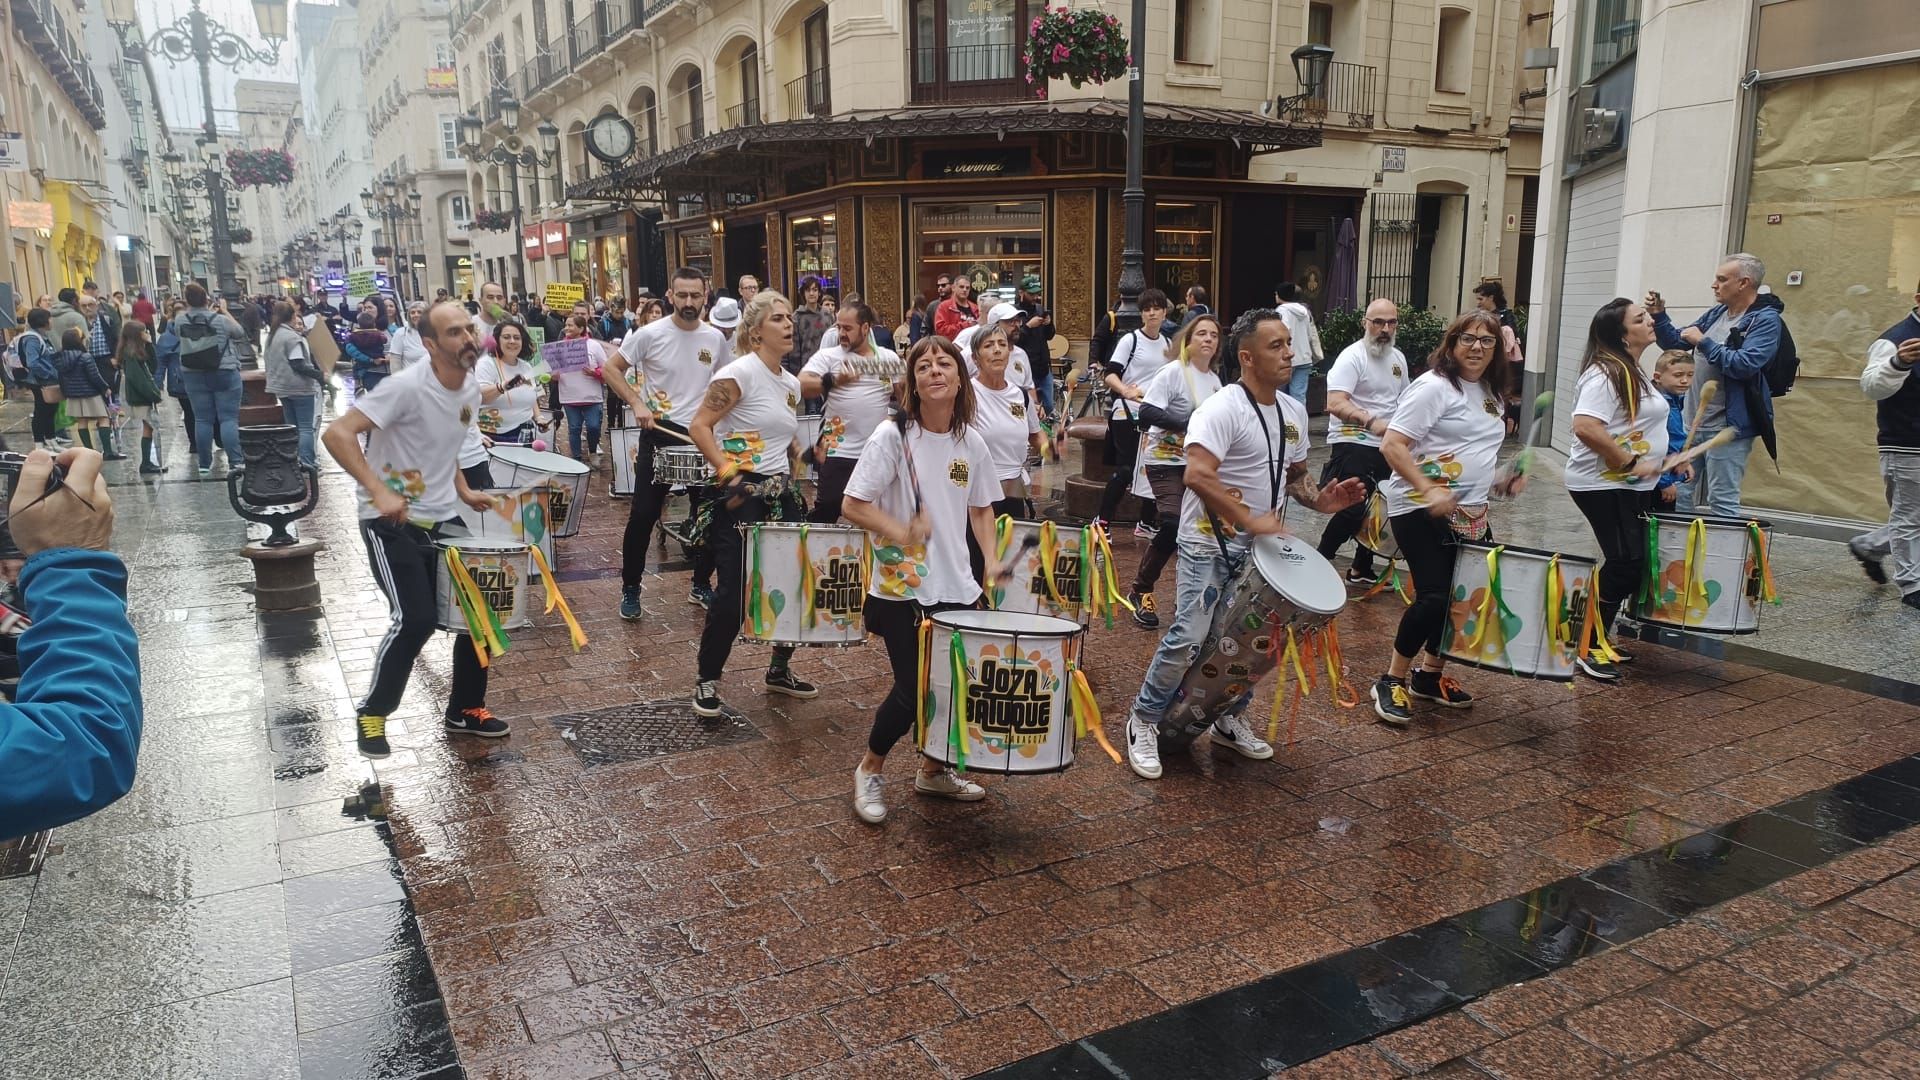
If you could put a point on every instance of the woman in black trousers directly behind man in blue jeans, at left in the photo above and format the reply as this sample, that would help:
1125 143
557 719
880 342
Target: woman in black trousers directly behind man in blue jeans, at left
1166 405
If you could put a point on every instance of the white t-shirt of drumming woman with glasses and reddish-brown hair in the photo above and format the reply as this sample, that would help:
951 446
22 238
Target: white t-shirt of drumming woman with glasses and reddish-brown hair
1456 441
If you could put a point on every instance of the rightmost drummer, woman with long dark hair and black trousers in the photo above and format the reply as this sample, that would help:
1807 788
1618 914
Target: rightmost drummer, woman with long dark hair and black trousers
1620 430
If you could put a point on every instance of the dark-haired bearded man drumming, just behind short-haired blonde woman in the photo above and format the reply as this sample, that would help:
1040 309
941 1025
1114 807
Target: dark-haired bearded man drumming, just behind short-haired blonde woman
675 358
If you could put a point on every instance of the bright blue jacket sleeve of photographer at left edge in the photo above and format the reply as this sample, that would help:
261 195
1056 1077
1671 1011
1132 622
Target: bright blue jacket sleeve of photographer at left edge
70 741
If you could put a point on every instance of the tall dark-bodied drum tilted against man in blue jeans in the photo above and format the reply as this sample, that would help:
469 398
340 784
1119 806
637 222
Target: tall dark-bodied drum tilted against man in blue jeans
1285 585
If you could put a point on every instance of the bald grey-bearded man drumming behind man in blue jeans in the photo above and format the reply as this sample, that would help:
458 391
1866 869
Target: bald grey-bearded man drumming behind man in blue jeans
1362 389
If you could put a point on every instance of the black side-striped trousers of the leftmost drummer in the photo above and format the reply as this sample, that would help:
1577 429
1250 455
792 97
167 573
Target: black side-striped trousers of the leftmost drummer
404 562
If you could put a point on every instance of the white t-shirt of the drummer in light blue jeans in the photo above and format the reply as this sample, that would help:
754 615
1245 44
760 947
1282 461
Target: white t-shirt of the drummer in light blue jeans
1255 447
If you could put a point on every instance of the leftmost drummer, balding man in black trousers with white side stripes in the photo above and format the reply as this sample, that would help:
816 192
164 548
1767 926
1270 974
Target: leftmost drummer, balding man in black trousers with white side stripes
414 424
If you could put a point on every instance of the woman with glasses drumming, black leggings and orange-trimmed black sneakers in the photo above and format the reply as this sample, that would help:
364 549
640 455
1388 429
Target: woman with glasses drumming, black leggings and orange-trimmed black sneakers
1443 445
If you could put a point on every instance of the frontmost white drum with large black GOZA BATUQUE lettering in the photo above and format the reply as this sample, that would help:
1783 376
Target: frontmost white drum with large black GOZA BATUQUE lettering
1015 691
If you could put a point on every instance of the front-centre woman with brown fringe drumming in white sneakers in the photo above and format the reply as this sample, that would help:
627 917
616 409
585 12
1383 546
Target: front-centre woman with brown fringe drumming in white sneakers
921 504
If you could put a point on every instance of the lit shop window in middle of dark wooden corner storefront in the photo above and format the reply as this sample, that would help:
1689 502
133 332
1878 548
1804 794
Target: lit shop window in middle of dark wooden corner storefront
992 243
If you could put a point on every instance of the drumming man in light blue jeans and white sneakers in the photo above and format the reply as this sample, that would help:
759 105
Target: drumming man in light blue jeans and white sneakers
1247 451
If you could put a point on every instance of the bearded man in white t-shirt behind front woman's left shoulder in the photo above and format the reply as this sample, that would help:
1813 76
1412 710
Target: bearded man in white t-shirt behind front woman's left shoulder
855 405
